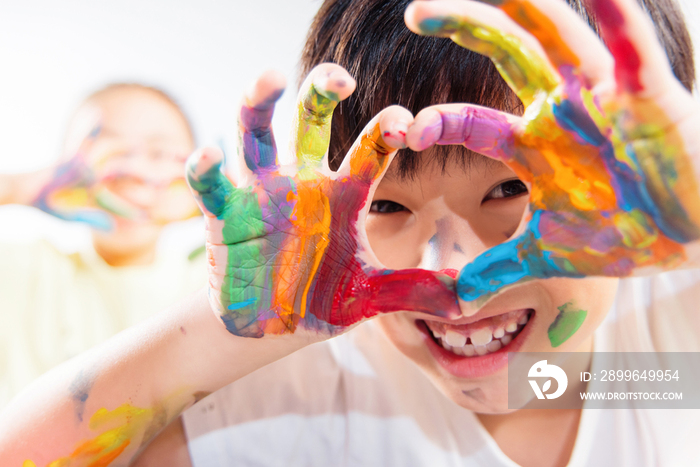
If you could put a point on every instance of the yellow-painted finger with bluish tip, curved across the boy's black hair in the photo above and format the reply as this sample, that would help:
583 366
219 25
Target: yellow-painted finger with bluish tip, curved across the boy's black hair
488 31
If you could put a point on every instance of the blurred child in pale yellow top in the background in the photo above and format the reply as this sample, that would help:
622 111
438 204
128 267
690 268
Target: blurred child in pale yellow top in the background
127 145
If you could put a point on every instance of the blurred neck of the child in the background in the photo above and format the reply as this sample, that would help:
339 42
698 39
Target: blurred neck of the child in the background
127 247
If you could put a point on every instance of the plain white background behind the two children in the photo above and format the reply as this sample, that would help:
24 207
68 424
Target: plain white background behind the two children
203 52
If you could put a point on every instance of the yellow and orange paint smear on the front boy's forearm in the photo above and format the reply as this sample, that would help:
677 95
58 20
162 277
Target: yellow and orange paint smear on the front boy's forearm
119 428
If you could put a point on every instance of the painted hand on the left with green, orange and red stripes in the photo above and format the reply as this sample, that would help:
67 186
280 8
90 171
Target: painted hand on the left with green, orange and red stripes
286 243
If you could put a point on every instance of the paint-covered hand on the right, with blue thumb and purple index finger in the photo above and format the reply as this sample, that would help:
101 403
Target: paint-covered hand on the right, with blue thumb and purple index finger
608 143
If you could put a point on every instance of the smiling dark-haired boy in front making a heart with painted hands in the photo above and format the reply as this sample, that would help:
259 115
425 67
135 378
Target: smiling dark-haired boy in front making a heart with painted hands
290 264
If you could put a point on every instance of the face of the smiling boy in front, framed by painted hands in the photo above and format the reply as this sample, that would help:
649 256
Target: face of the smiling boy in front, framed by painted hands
444 219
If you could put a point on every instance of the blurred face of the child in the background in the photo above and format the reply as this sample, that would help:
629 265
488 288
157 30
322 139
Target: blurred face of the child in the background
138 157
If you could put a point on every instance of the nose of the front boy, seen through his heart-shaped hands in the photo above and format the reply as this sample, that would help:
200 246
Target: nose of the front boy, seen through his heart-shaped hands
453 245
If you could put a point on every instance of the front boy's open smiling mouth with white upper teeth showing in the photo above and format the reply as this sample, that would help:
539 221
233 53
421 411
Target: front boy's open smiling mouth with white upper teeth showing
480 338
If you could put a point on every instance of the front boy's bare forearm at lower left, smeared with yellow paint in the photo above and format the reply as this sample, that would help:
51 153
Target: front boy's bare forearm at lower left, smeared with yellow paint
118 396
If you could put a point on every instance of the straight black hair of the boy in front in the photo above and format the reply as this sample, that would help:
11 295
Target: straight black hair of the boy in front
392 65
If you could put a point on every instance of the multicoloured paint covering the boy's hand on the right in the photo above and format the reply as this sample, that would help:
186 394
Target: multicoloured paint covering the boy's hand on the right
608 195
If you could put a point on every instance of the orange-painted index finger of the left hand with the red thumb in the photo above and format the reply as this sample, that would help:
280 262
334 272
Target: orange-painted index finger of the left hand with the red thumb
370 156
